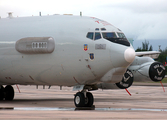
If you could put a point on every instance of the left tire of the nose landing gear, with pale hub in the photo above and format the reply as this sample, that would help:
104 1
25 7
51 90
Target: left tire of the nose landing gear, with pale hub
79 100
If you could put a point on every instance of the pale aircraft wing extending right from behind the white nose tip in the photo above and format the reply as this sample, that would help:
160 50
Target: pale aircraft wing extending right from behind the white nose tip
152 54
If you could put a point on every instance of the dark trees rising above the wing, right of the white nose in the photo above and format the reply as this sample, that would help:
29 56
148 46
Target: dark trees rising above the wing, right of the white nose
145 47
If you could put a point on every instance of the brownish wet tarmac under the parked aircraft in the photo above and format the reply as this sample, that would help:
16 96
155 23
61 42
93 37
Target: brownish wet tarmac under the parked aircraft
147 101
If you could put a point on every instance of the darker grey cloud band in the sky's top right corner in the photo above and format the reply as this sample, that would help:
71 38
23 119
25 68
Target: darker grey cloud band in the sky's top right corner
141 6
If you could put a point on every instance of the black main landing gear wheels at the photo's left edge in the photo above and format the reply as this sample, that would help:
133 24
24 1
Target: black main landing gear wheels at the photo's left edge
6 93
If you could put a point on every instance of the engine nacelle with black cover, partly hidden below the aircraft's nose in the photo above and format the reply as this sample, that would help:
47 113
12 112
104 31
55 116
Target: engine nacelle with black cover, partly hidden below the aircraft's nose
126 82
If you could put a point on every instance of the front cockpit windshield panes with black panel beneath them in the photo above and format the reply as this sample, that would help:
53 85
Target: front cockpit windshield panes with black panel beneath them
111 36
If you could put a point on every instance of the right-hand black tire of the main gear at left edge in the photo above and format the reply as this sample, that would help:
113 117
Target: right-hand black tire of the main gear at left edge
9 92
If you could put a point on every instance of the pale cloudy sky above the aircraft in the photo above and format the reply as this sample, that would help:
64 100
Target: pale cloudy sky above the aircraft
138 19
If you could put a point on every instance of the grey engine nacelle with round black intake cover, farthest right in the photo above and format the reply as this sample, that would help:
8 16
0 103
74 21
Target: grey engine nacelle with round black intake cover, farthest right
149 70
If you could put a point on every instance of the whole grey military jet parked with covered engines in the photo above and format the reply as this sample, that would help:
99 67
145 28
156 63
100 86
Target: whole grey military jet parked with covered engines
84 52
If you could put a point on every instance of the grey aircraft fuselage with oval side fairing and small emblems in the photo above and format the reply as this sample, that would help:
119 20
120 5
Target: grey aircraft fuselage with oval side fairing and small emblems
74 58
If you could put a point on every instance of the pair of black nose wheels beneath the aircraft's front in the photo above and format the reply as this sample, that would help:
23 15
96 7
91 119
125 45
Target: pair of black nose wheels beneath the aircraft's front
83 99
